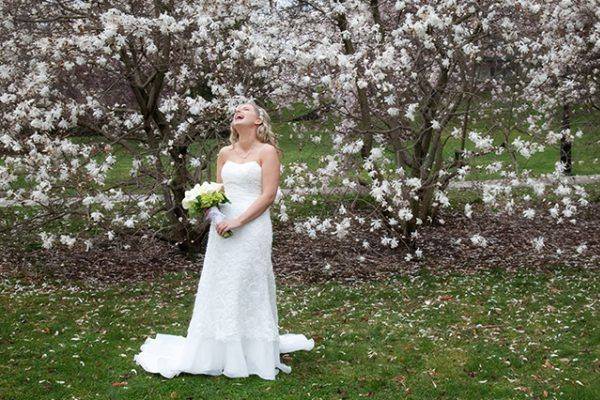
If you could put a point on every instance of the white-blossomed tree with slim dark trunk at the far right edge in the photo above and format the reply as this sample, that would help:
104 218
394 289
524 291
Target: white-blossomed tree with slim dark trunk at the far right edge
565 44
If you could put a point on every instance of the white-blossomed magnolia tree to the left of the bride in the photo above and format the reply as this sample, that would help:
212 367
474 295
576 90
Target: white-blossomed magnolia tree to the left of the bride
150 77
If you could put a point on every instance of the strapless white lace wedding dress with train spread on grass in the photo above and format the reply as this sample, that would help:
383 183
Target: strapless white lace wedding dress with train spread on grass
234 326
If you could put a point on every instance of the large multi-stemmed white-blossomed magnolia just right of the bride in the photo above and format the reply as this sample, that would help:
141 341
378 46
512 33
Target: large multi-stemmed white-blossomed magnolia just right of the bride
421 91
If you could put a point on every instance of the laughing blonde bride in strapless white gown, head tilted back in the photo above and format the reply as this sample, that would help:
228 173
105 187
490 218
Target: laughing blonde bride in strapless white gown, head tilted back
234 325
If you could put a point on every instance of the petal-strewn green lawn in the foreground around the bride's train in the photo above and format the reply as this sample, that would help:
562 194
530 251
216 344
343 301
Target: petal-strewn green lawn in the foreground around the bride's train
488 336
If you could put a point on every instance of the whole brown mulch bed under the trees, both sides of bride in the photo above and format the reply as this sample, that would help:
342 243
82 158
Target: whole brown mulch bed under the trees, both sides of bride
296 258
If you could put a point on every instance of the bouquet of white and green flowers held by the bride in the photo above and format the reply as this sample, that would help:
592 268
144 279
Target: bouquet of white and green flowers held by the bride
206 196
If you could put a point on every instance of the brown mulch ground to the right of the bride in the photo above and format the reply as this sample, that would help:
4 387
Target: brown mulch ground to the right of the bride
446 248
